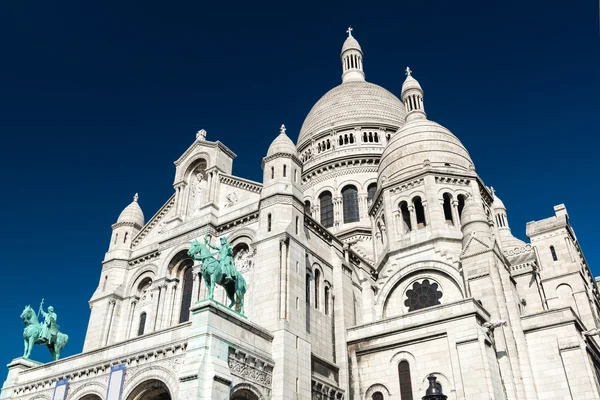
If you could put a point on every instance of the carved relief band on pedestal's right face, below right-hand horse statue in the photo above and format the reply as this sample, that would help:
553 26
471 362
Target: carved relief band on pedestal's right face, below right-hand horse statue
250 367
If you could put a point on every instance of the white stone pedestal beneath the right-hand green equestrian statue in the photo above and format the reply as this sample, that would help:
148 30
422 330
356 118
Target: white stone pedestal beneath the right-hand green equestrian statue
225 351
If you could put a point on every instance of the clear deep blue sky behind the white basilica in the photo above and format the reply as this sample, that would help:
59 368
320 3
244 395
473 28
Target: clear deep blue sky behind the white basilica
97 99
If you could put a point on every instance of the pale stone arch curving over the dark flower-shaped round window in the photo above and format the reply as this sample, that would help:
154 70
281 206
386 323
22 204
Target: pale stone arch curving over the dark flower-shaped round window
414 271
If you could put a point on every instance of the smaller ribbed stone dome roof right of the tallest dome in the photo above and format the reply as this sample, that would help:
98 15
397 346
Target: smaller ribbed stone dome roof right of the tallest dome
419 144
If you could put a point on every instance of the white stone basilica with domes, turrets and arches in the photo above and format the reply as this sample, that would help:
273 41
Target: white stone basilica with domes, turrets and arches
378 264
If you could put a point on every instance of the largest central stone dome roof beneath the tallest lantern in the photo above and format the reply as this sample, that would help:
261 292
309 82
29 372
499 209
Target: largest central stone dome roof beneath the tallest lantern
352 103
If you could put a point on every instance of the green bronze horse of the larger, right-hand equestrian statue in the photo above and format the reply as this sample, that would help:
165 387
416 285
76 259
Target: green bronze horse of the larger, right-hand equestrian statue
213 273
